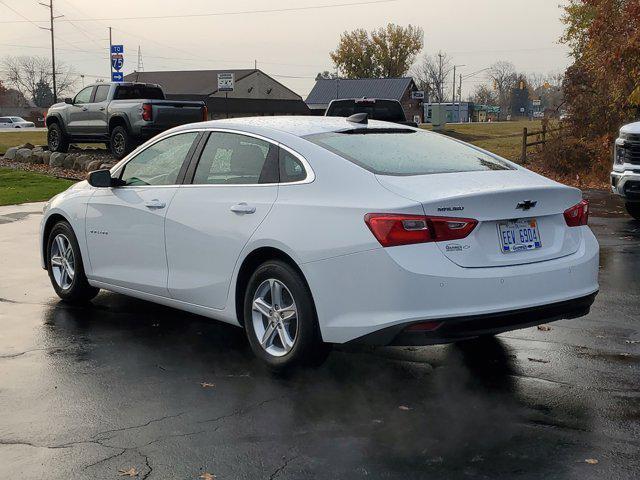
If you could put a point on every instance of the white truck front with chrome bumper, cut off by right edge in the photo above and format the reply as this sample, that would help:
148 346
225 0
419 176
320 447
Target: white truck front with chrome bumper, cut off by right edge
625 177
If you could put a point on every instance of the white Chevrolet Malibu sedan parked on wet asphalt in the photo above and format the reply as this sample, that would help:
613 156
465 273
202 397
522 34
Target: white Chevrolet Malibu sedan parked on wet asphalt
308 231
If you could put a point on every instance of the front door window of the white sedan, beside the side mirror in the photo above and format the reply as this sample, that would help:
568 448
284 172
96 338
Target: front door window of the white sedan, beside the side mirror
160 163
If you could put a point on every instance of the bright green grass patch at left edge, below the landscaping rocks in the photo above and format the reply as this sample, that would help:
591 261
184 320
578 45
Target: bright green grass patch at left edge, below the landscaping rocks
19 187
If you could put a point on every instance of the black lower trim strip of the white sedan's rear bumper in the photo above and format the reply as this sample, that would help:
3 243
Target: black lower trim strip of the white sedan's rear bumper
461 328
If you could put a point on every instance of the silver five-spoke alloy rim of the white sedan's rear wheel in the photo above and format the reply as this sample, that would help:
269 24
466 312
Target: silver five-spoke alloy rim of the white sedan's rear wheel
275 317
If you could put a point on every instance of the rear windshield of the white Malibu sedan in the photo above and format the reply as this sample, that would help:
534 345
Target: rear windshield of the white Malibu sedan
406 152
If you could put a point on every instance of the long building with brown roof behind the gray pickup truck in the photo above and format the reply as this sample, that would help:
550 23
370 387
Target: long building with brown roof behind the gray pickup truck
255 93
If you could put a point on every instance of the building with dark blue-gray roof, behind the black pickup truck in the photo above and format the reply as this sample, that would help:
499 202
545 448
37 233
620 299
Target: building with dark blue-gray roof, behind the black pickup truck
327 89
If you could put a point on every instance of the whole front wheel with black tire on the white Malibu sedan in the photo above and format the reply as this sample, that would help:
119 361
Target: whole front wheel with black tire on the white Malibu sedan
65 267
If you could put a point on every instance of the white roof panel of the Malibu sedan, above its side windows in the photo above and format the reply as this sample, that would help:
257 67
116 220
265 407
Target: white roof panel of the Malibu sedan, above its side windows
299 126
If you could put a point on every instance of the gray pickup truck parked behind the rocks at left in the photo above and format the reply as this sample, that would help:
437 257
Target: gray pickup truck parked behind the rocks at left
121 115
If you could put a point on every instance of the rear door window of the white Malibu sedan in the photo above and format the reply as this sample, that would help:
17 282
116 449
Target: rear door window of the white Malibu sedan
231 158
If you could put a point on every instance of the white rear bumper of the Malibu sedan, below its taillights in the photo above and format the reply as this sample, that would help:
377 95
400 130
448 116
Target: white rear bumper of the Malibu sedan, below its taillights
360 294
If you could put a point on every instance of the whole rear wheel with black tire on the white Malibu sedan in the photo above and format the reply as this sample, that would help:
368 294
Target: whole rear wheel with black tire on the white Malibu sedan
293 318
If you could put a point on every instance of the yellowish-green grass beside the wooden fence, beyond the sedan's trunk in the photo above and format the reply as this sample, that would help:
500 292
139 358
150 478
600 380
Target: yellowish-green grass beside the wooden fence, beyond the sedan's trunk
501 138
